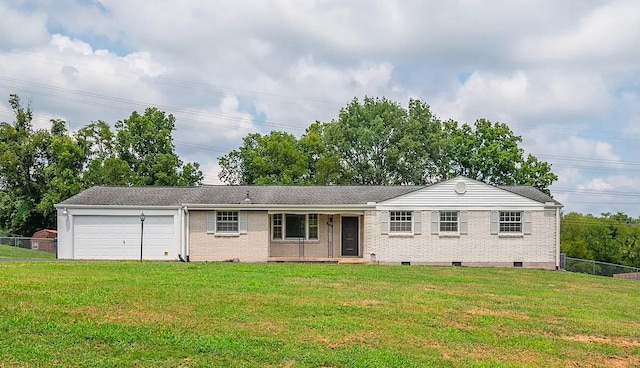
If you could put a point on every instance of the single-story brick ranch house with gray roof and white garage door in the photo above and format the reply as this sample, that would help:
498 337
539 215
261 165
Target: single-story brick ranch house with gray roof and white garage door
455 222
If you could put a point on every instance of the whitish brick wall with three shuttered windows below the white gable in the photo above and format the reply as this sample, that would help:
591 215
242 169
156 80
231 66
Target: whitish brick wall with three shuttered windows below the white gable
478 248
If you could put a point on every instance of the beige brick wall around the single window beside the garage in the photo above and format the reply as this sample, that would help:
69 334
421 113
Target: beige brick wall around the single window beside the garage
250 247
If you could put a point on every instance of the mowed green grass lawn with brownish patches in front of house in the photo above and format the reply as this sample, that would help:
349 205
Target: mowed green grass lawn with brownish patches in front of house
123 314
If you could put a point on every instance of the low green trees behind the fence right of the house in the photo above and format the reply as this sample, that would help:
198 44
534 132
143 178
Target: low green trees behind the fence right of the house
613 238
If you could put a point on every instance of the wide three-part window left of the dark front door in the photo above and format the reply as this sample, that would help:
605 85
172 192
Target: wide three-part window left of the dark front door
294 226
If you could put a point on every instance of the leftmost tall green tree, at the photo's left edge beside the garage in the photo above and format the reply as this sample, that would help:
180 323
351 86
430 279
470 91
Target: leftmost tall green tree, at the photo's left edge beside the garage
37 169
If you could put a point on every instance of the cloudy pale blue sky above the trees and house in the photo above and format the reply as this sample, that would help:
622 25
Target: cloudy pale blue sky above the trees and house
564 75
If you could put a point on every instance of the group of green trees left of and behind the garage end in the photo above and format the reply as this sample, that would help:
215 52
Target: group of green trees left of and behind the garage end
39 168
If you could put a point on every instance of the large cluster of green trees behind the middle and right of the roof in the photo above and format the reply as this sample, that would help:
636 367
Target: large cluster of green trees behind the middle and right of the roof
379 142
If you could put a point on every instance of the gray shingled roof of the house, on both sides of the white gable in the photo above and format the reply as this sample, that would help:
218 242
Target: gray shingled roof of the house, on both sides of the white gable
265 195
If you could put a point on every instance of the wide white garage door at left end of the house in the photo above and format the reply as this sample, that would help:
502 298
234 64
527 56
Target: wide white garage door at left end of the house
118 237
